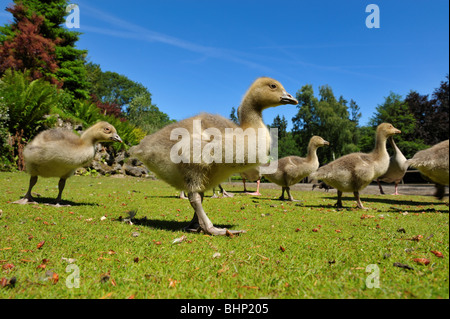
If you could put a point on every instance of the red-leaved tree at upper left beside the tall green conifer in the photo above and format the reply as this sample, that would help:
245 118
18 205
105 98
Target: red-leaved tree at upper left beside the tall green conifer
28 49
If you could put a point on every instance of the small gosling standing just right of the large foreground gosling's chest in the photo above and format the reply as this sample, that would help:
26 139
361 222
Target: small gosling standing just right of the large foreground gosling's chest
292 169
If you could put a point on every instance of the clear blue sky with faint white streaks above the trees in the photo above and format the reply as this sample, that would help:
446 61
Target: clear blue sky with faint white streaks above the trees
201 55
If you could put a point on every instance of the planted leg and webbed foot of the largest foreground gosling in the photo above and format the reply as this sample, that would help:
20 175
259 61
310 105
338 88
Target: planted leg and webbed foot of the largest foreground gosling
202 219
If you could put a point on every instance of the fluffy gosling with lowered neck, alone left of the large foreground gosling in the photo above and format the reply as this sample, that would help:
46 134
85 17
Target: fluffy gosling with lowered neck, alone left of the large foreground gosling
59 152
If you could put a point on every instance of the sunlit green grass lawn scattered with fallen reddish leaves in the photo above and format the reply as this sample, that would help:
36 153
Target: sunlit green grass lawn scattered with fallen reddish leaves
290 250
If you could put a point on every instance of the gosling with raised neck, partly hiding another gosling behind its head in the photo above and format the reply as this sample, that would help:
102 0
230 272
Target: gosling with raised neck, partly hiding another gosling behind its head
353 172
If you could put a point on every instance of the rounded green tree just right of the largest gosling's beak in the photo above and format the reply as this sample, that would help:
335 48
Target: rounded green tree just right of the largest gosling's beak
327 117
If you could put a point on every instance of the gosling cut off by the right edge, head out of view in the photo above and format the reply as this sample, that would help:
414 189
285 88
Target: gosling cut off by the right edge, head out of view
433 162
